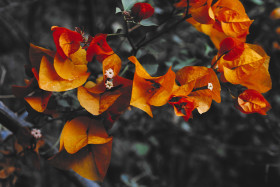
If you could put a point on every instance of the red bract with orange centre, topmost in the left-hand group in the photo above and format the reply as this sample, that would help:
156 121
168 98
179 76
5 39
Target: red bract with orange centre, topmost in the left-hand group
67 42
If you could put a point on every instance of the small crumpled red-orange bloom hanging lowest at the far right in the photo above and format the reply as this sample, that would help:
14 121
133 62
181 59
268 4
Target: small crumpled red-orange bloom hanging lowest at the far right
251 101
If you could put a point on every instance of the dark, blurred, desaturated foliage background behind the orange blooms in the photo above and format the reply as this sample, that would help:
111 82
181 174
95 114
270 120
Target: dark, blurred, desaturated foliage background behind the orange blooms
222 147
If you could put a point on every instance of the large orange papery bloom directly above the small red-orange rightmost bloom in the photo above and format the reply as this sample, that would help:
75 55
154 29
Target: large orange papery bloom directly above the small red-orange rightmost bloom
250 69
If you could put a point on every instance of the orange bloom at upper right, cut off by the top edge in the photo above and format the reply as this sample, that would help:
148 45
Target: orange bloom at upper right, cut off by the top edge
230 20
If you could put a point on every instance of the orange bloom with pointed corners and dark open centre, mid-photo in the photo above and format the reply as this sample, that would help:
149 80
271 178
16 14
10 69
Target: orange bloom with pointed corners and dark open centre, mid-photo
147 90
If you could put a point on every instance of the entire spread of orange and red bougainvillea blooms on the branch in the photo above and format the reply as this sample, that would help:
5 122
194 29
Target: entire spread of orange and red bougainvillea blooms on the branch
85 145
